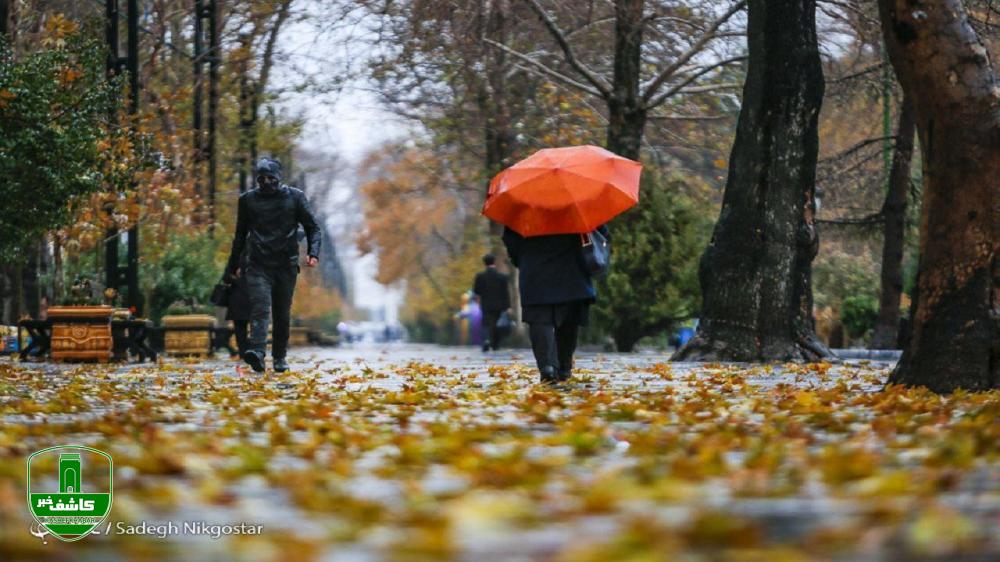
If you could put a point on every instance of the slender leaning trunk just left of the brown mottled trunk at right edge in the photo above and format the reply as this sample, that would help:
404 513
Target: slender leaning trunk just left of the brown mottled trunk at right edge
894 215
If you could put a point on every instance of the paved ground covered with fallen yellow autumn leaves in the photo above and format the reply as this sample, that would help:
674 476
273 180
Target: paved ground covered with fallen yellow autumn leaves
435 454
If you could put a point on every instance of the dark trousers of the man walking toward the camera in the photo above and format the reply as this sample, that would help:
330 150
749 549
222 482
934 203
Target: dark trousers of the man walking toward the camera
271 290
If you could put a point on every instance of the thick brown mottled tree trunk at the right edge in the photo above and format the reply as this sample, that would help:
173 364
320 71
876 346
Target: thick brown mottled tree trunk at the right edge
945 71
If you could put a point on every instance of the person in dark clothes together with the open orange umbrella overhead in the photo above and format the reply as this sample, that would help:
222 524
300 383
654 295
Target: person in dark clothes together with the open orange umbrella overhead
551 204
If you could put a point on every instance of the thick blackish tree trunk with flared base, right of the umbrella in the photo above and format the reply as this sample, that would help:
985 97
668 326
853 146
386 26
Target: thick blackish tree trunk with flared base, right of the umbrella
756 272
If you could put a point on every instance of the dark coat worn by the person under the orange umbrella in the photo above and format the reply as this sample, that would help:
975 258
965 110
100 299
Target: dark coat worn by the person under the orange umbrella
550 268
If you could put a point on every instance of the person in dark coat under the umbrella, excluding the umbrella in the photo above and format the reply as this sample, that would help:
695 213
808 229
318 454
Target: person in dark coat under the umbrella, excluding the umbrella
556 294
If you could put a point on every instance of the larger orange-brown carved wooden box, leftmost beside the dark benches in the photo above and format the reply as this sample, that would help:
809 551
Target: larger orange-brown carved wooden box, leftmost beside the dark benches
81 333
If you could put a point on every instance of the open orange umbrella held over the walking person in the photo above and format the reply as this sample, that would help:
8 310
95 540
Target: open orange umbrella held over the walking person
563 191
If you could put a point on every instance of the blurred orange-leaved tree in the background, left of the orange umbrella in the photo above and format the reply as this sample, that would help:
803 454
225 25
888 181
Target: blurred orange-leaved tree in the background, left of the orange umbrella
421 221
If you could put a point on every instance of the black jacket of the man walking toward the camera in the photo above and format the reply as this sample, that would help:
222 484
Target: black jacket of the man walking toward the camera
266 226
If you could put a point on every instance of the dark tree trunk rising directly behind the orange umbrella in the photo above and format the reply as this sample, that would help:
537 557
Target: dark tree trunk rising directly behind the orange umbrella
626 111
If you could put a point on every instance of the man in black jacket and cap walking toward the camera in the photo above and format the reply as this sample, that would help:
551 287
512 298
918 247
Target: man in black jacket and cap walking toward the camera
266 250
